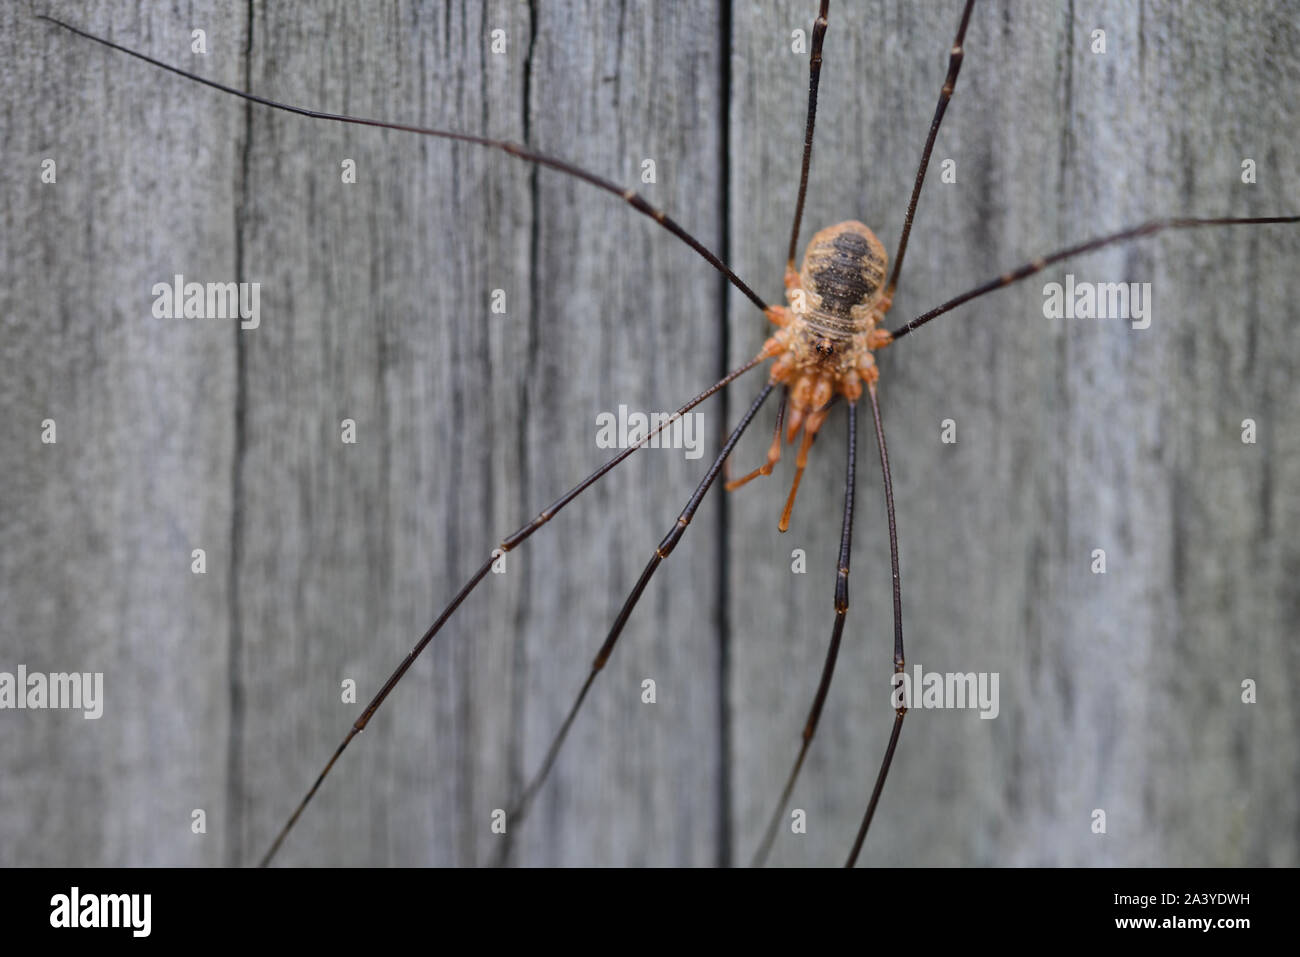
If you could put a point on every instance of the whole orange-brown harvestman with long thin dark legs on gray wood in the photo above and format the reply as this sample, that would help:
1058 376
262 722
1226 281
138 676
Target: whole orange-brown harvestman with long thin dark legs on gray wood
834 358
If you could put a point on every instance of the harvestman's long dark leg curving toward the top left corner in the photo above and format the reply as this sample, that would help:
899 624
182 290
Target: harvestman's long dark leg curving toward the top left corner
631 197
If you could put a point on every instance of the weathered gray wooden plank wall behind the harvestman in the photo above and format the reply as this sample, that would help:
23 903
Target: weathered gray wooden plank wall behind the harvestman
327 561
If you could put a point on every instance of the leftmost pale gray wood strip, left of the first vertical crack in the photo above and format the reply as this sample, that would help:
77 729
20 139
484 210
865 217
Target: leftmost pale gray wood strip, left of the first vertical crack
98 529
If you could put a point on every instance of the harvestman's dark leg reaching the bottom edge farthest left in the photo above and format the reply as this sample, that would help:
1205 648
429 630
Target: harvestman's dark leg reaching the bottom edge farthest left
510 543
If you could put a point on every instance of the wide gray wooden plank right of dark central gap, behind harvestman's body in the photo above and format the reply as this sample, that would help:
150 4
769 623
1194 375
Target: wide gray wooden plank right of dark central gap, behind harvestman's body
1120 692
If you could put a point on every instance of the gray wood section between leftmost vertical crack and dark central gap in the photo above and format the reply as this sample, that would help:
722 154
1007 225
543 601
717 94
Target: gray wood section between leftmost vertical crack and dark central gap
476 421
